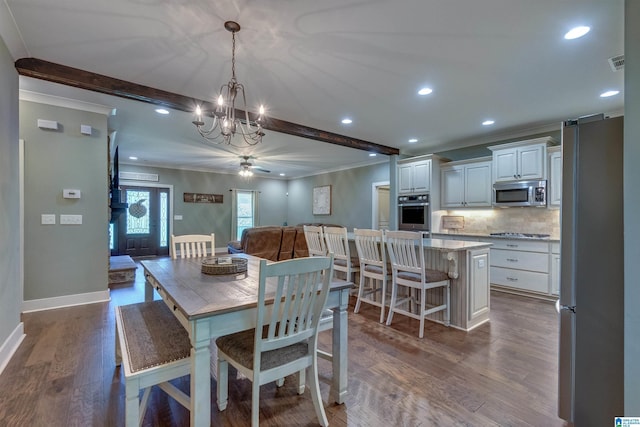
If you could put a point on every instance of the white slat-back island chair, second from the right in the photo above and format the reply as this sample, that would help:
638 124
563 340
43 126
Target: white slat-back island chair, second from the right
373 266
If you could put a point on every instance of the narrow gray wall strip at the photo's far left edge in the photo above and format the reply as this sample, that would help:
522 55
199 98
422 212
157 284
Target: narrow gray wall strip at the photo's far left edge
10 286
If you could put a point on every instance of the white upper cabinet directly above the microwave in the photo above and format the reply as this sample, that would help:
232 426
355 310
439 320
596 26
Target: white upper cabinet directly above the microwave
522 160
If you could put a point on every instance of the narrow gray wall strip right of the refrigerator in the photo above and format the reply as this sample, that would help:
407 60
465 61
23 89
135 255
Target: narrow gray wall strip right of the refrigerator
632 208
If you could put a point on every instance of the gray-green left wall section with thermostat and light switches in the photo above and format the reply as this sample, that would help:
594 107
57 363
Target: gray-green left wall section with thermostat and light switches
64 259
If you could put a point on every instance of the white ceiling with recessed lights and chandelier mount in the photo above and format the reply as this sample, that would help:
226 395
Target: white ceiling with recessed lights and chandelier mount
314 62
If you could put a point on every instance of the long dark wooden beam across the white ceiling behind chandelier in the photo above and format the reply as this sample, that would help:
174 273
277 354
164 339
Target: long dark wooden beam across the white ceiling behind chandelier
44 70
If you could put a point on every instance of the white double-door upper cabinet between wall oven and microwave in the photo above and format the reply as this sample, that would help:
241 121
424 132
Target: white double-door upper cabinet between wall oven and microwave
466 184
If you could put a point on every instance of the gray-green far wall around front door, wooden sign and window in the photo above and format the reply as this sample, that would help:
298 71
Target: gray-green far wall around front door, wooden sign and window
205 218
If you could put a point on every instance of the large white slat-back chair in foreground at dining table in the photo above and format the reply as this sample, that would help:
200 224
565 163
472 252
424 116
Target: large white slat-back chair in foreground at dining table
285 339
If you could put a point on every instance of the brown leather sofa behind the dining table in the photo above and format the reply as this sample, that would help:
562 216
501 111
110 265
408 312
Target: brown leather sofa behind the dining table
275 243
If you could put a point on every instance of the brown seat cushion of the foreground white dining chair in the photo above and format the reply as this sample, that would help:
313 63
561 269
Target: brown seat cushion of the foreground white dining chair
240 346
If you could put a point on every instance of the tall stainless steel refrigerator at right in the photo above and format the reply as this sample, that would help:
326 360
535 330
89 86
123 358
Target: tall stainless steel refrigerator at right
591 377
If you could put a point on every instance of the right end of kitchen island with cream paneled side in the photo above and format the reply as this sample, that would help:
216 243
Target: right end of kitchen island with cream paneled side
467 265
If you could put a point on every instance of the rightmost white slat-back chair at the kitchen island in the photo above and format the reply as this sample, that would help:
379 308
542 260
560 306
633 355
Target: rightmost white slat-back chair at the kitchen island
408 269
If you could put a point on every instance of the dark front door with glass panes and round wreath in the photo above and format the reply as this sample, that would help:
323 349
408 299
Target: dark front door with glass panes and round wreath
144 229
